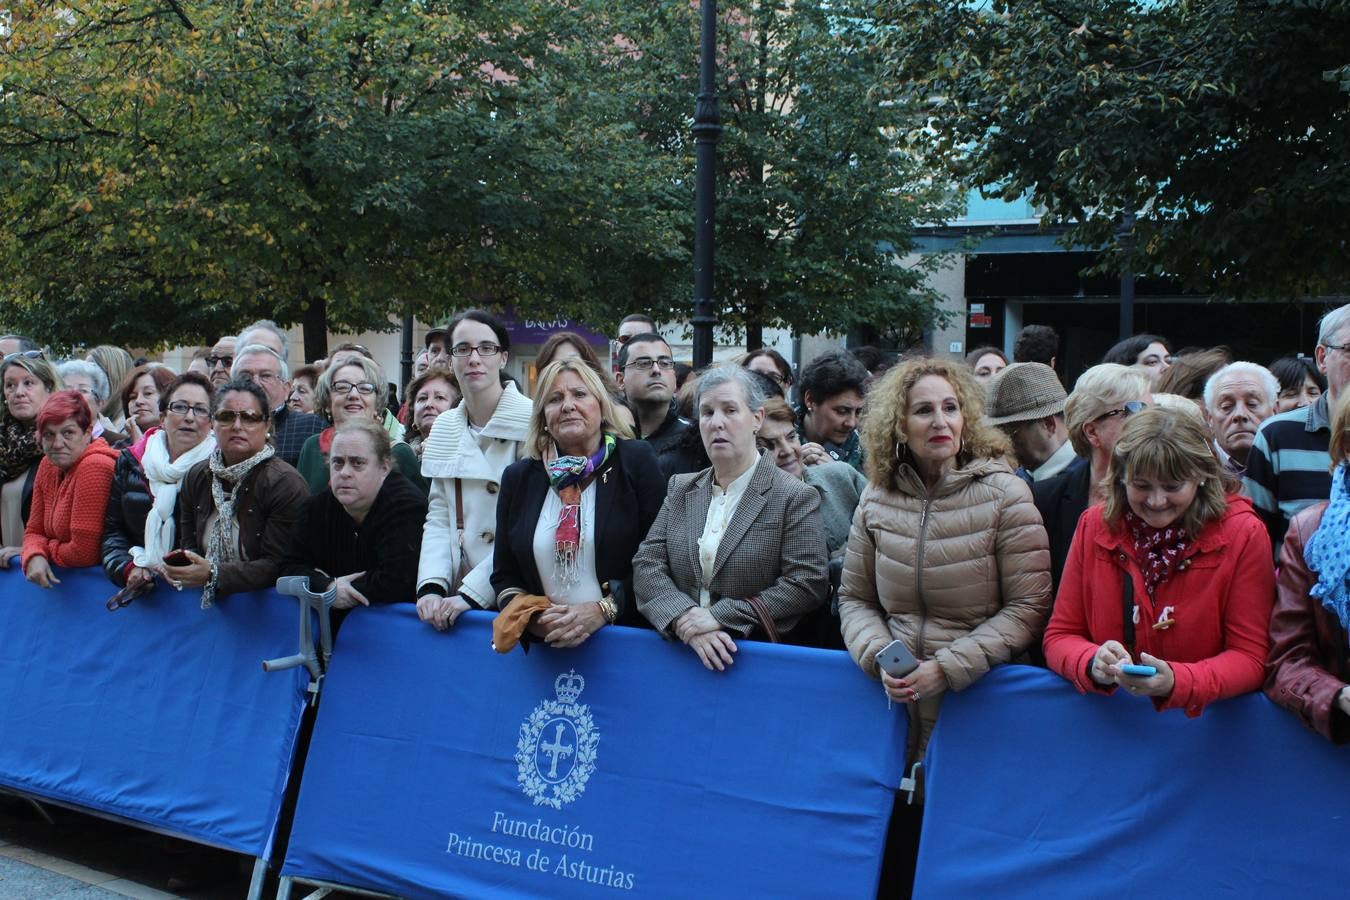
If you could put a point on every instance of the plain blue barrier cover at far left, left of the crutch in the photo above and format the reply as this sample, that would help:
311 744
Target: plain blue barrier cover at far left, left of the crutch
159 713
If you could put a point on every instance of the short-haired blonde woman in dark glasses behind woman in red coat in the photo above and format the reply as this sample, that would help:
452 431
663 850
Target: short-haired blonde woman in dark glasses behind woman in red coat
1096 414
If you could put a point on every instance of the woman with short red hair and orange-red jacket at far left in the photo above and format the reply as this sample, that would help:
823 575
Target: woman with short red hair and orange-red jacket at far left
65 526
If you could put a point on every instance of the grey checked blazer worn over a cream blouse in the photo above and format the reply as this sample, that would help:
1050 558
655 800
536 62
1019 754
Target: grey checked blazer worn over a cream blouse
773 547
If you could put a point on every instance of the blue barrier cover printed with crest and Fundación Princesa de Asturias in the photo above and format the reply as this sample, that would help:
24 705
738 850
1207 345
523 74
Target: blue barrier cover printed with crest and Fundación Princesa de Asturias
439 767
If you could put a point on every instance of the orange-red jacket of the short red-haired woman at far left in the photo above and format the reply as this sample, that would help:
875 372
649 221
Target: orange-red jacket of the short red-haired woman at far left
65 524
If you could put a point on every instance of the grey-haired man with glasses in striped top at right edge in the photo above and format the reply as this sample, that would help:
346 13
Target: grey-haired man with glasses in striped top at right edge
1289 466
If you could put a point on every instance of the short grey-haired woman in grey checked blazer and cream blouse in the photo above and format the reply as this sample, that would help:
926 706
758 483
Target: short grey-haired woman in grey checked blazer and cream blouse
738 549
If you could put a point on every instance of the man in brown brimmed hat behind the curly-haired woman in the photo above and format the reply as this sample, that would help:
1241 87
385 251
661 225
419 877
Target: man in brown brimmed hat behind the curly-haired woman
1027 403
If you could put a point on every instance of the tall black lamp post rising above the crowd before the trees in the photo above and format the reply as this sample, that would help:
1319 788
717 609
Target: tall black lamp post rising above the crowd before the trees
707 130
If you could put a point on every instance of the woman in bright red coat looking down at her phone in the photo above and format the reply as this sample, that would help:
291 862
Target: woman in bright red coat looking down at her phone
1172 571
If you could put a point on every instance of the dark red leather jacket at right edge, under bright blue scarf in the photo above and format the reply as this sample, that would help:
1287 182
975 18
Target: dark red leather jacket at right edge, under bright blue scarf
1309 648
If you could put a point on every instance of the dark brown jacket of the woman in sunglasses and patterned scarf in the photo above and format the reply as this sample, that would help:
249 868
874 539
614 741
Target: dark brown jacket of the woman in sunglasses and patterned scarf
269 503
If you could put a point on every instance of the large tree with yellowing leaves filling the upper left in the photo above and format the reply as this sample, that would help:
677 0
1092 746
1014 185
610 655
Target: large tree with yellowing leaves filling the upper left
169 172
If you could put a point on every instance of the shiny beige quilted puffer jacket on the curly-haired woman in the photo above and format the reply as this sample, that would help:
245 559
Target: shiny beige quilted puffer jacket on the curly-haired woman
963 577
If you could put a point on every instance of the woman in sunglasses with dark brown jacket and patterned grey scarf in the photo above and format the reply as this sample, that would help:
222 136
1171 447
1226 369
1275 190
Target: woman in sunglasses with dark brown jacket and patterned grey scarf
237 507
